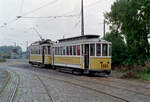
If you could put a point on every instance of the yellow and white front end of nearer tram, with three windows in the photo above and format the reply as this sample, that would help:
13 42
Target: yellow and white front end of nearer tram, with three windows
100 57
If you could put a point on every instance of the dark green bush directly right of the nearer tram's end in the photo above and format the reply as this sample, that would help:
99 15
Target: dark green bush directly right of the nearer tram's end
119 49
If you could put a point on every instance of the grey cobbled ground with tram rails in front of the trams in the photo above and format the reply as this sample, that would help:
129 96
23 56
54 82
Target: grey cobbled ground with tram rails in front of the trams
45 85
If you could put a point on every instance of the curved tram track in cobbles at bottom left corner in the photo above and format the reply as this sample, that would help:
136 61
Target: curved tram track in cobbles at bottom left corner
9 92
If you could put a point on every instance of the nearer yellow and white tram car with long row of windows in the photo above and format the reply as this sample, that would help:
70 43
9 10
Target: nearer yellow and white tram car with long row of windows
87 53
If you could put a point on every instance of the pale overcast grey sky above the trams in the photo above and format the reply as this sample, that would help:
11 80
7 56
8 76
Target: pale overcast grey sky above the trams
52 19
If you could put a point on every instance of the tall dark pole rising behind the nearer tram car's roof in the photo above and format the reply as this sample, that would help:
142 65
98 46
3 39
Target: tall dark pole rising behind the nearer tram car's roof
82 18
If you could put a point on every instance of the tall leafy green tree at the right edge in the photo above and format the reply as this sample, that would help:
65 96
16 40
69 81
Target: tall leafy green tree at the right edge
131 19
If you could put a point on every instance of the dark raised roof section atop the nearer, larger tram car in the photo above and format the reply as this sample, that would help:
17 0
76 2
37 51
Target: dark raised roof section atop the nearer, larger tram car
79 38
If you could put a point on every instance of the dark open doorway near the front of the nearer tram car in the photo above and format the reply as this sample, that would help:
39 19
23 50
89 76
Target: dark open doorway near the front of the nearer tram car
86 57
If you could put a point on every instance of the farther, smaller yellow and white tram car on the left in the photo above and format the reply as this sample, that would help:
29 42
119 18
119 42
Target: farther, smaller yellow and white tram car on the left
40 53
